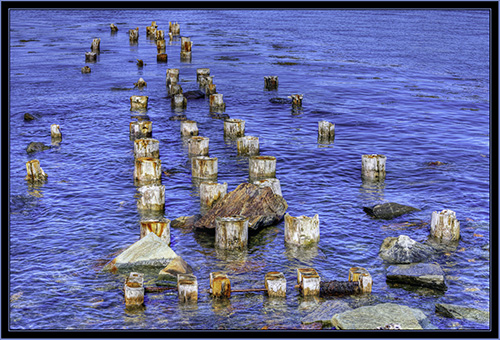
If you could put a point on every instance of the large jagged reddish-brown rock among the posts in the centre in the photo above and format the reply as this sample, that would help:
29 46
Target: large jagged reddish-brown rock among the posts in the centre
261 205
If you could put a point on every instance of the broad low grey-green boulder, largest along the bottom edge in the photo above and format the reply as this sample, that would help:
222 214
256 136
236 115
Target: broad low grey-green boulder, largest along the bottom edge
372 317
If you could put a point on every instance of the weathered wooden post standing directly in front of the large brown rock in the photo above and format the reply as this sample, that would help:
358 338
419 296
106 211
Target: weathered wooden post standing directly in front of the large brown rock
231 232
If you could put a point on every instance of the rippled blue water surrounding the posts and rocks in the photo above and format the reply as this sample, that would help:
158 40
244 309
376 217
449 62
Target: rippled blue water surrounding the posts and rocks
410 84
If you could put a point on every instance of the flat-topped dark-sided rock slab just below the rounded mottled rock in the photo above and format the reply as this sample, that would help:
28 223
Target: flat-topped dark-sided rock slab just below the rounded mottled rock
418 274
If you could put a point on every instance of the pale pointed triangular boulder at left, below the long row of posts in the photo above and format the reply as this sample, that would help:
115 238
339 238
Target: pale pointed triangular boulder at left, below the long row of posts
149 251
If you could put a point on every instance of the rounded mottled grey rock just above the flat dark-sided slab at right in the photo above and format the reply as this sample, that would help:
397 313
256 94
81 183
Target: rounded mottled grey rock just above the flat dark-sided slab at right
403 250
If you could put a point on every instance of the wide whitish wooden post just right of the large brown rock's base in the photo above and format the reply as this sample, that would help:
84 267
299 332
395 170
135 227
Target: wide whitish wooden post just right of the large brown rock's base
301 230
